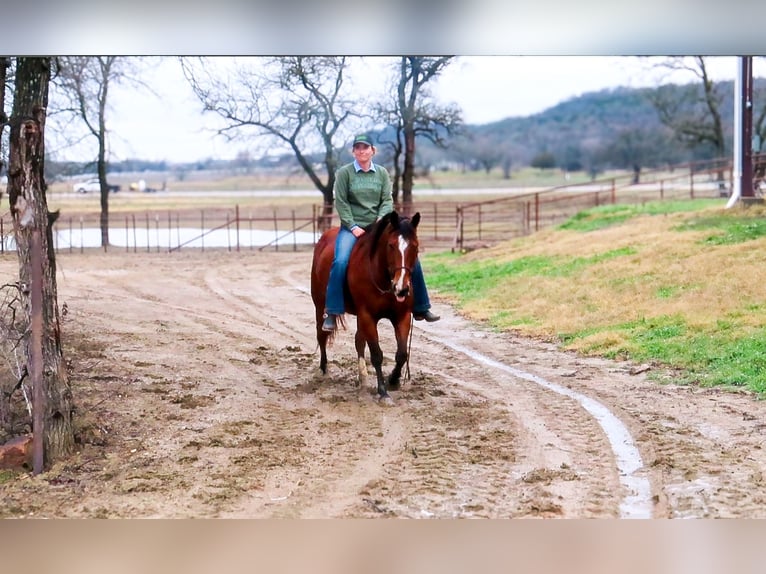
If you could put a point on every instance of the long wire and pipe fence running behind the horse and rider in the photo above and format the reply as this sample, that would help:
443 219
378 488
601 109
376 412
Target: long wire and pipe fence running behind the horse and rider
455 225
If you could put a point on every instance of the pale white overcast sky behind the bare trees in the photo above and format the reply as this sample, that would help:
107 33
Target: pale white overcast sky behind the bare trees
170 126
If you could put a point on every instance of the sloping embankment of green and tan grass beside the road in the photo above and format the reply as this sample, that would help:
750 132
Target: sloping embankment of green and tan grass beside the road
677 284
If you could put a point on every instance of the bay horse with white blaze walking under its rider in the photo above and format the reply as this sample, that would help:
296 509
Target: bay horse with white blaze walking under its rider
378 286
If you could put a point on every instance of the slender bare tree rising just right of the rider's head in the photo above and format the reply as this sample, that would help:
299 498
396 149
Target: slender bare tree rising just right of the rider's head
419 115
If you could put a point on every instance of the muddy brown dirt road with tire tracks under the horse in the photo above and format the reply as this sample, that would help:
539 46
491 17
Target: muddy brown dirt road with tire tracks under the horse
196 378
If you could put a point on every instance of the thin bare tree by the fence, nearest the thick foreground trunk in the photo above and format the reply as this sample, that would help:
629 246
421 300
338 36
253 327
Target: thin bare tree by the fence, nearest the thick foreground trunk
85 82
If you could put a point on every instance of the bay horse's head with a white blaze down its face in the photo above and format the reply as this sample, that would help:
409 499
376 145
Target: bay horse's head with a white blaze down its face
399 234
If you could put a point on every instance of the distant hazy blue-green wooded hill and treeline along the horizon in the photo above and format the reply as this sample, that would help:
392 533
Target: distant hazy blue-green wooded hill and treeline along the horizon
616 128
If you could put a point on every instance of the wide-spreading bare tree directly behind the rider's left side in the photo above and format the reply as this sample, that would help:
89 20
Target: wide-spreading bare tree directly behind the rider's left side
301 103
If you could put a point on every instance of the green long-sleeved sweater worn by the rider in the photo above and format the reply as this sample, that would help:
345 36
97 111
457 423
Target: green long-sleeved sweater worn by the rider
361 197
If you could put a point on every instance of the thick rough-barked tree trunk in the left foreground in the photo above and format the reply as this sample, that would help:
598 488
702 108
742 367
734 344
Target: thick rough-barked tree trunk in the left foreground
29 210
